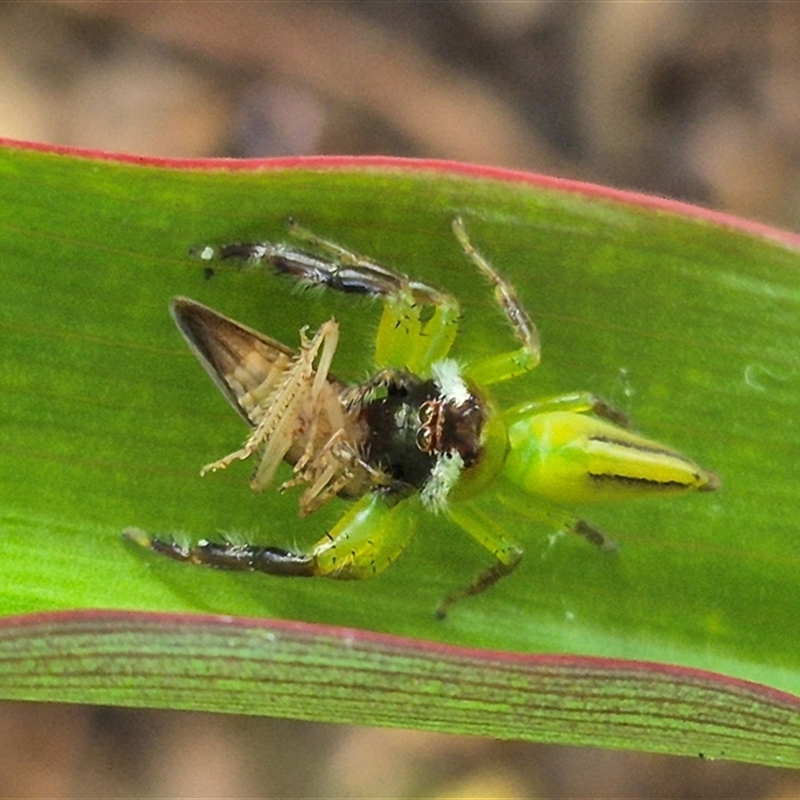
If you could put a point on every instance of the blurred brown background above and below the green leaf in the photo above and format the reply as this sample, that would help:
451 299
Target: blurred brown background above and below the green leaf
699 101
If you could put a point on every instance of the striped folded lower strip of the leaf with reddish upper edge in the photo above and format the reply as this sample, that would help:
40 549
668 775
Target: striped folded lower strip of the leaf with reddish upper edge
309 672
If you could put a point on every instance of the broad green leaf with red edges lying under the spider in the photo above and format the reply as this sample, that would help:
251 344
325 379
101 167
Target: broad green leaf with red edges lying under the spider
686 320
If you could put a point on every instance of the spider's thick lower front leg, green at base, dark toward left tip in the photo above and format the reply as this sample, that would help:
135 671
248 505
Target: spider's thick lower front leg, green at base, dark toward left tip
365 541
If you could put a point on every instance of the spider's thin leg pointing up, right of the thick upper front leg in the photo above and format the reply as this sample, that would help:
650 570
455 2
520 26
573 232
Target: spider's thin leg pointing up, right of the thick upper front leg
505 365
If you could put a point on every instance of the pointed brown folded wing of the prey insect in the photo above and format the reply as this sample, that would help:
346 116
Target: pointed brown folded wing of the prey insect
244 364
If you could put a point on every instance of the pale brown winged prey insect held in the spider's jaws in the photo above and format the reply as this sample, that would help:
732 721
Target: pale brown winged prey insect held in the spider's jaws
295 411
